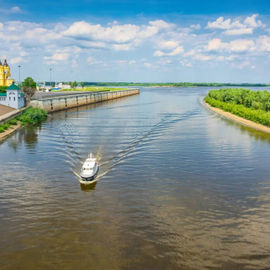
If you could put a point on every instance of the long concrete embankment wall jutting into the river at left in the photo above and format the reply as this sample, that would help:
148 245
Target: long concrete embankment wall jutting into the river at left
58 103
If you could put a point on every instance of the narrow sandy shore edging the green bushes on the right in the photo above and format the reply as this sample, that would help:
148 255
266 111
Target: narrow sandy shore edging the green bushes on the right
239 119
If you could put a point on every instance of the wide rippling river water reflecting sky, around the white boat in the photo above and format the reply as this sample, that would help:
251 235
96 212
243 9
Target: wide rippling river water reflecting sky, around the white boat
179 188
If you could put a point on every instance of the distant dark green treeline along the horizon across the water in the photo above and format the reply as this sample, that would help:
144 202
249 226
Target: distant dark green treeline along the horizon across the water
180 84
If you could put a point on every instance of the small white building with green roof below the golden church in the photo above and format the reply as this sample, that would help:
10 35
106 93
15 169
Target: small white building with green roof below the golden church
13 97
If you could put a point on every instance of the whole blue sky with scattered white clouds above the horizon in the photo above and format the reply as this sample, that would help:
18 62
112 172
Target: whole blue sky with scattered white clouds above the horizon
128 40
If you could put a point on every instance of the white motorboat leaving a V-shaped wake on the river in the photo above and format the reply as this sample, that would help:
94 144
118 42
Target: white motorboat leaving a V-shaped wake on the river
89 170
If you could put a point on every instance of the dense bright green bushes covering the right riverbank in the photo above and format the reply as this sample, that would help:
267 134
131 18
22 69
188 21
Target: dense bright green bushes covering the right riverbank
251 105
